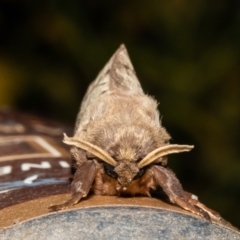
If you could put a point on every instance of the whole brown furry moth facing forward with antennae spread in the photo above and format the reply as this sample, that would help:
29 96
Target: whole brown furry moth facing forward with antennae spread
119 146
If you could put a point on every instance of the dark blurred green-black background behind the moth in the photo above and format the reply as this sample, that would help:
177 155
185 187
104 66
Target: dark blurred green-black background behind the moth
185 53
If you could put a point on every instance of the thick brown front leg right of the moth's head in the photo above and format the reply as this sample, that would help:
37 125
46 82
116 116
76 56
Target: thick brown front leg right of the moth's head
167 180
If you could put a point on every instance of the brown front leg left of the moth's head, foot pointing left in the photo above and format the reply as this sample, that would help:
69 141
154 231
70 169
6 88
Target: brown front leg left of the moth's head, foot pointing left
81 184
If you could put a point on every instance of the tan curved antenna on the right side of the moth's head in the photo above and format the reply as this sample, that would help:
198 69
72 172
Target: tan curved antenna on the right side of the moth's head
163 151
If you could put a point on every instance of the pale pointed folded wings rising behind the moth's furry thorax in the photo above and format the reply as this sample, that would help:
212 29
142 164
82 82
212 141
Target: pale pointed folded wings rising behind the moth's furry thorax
117 76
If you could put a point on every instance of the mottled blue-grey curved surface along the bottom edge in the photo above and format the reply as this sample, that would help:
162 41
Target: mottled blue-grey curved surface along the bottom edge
118 223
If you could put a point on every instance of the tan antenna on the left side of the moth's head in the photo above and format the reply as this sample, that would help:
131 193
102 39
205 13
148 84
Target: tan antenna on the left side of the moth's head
87 146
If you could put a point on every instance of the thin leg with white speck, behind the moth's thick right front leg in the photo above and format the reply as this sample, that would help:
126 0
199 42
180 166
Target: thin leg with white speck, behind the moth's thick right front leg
193 199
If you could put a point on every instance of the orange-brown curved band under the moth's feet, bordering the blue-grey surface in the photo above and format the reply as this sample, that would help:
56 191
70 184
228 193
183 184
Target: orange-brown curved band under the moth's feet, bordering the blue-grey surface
39 207
